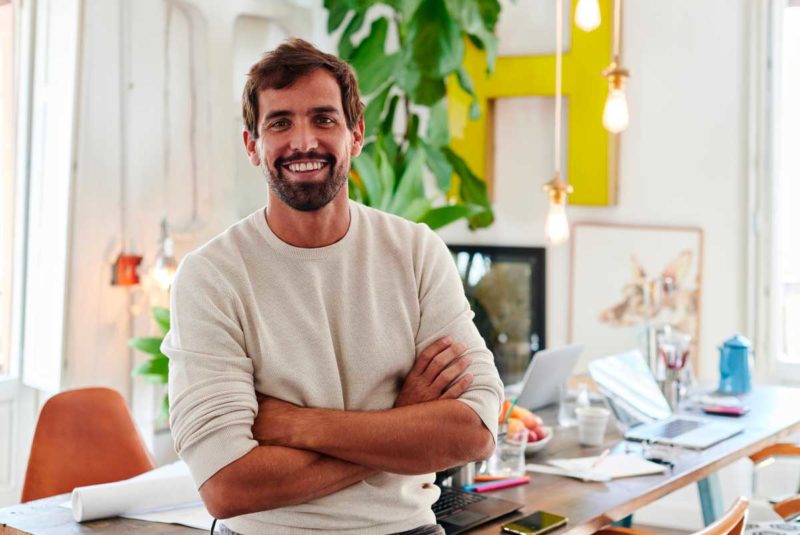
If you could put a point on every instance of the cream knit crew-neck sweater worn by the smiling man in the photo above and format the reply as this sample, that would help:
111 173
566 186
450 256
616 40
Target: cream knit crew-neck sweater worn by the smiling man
335 327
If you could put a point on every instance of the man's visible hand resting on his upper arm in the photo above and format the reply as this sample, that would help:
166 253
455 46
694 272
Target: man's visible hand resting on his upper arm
437 374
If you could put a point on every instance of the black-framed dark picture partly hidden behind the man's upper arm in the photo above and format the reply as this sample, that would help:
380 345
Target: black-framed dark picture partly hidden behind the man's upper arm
505 287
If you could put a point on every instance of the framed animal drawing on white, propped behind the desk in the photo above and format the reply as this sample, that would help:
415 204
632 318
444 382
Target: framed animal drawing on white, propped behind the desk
625 279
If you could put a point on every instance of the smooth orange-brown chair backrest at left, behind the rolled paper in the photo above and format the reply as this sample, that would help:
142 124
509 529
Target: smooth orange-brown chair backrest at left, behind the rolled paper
83 437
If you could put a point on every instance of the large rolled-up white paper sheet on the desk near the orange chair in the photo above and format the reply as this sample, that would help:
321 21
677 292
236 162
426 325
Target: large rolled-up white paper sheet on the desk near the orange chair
166 494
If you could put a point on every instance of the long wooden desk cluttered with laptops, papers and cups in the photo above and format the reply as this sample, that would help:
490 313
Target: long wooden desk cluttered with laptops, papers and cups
774 416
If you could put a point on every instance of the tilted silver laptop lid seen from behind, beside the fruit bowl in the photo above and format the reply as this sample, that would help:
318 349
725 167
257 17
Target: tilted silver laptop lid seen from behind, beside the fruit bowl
547 372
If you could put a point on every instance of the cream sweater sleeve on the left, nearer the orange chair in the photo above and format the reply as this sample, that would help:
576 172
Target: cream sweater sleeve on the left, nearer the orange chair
211 392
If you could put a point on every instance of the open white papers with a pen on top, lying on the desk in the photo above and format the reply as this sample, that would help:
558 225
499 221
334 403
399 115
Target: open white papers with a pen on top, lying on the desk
611 467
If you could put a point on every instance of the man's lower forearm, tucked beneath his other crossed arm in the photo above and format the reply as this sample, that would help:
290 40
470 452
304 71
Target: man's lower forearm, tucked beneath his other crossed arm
269 477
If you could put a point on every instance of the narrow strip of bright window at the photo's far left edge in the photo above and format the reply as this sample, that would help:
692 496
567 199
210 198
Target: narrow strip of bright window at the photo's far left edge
6 183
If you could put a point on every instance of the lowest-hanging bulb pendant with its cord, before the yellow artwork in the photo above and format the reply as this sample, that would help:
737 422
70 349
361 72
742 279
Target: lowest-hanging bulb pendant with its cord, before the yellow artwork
556 227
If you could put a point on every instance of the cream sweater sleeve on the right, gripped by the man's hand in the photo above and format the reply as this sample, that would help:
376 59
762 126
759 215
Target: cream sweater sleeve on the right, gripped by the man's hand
445 311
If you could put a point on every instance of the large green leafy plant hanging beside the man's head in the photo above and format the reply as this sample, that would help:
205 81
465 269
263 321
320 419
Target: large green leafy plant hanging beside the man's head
406 88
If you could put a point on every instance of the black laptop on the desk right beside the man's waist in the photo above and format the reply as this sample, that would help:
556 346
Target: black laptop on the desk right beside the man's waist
458 510
